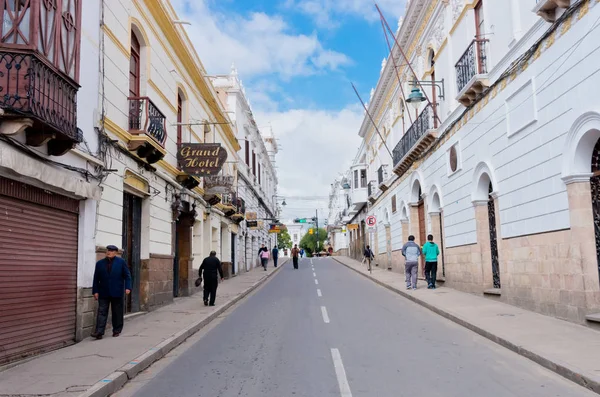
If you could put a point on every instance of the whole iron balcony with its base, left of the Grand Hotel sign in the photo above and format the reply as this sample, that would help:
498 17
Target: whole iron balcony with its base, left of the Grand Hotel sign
149 127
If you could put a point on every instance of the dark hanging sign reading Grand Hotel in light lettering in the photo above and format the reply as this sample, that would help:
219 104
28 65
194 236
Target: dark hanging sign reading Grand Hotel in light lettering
201 159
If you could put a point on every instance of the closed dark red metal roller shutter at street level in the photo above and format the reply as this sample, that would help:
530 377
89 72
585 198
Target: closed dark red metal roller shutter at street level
38 271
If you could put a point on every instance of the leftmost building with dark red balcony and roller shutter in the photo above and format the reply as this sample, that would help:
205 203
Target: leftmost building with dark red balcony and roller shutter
49 179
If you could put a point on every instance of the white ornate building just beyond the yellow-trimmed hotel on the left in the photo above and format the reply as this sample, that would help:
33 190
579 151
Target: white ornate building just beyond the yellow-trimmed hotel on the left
256 176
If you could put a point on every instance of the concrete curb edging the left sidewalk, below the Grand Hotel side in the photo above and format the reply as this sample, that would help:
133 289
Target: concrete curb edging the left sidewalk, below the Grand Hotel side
117 379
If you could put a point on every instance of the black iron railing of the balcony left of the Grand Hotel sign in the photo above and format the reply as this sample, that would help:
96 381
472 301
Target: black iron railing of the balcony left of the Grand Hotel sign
146 118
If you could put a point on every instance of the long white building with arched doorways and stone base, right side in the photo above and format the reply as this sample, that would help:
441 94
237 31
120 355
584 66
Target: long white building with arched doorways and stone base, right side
493 125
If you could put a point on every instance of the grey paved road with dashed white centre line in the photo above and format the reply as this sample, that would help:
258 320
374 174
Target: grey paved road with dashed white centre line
355 339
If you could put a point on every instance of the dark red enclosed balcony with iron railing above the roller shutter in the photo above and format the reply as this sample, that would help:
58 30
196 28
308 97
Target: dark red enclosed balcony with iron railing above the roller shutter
39 70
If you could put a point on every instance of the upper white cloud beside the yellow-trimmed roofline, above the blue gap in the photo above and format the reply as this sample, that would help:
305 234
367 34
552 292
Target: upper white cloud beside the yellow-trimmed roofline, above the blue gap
258 43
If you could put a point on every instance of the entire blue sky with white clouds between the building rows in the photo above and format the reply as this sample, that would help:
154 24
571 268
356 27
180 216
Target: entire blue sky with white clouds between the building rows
297 59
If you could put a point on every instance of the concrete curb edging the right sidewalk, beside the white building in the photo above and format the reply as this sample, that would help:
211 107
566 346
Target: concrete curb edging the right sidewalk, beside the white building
561 369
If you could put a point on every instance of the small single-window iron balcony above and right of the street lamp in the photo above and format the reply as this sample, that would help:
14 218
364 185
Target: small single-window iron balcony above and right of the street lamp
471 72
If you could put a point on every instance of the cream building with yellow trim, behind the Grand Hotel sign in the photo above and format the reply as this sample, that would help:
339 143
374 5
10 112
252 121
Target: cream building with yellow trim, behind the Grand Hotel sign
155 99
